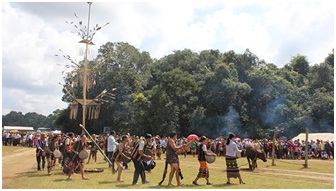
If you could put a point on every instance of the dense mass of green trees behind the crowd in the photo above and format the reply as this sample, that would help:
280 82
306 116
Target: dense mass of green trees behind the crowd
207 93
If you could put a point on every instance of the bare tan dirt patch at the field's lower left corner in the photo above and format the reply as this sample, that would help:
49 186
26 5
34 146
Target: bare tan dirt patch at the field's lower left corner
18 162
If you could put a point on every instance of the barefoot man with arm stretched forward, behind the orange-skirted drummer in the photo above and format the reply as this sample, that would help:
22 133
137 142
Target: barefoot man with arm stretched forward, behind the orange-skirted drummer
172 158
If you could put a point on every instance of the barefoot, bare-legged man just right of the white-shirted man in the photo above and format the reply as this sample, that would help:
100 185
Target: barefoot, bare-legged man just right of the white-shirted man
121 149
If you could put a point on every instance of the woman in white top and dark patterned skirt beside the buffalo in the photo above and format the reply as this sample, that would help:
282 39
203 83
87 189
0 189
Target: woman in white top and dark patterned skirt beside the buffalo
232 169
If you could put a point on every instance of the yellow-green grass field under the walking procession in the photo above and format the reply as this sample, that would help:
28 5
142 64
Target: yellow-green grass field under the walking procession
286 174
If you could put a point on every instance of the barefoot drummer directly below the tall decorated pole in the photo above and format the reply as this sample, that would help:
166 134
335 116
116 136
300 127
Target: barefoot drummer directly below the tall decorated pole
75 159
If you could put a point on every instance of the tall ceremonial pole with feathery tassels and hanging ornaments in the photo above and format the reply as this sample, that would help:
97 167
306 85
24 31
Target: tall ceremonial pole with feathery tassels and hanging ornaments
82 76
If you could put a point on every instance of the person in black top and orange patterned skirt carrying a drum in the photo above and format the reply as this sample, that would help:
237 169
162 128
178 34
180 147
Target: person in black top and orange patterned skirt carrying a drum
203 170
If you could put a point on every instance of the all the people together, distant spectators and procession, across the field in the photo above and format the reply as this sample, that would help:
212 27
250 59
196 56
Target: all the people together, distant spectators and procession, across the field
119 150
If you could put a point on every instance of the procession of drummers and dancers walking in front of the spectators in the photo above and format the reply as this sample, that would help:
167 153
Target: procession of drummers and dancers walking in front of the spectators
121 150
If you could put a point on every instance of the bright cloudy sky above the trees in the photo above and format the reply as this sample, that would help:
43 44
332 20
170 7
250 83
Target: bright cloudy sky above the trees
33 33
